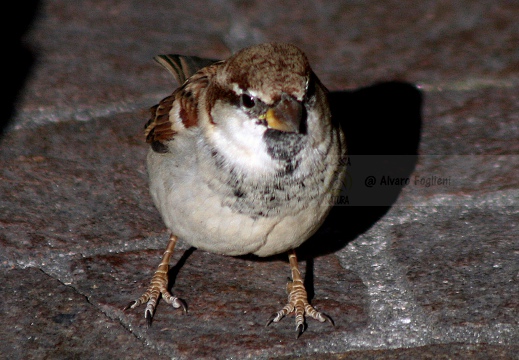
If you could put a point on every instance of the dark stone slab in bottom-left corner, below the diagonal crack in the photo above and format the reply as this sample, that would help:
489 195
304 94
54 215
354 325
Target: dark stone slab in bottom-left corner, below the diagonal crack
43 318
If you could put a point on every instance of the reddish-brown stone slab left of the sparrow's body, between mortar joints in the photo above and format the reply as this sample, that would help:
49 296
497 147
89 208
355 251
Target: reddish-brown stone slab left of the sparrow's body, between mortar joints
58 183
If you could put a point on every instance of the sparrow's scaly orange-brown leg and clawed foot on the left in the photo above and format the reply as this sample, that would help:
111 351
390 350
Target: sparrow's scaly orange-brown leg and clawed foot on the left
158 286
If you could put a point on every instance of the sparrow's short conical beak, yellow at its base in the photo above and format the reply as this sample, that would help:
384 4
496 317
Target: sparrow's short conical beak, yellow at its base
285 115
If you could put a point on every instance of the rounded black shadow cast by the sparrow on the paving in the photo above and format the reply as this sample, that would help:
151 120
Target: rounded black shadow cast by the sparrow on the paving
384 122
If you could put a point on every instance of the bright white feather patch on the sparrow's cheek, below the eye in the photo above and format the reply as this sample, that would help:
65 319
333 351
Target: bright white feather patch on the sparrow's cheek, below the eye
240 139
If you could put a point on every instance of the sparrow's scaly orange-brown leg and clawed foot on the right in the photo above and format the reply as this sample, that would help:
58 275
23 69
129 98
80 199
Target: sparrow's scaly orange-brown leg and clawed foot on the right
298 300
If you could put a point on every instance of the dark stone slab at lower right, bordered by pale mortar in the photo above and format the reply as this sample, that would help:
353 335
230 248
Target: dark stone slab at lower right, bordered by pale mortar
478 284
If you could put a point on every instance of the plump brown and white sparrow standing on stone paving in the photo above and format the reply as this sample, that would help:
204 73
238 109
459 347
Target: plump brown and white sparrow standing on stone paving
244 159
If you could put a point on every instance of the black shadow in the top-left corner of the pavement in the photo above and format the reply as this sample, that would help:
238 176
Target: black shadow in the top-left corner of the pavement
19 59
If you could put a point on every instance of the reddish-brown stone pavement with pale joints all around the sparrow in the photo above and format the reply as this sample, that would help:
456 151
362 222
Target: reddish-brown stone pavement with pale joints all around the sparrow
424 272
